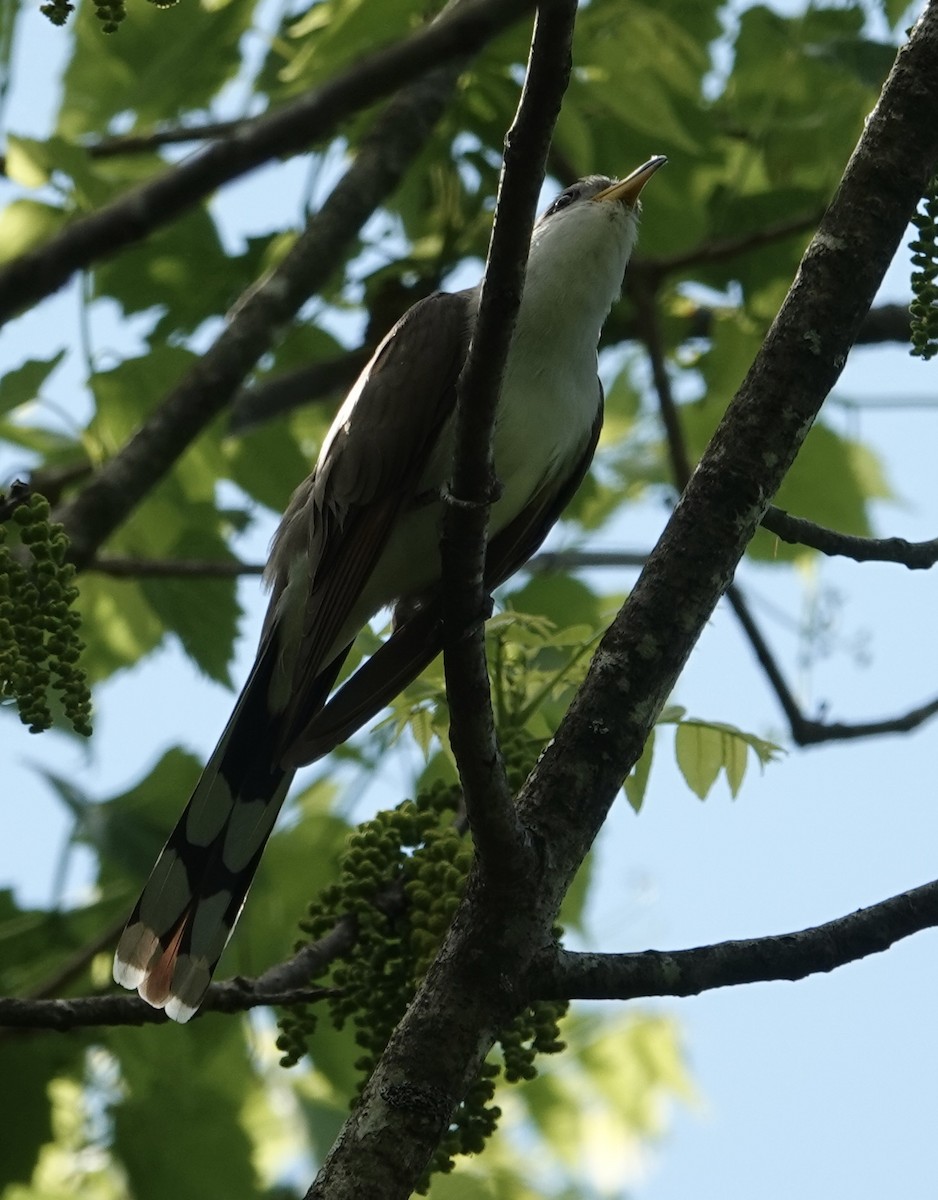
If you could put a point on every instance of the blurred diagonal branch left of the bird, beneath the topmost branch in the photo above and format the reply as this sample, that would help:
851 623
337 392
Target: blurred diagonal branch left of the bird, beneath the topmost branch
396 137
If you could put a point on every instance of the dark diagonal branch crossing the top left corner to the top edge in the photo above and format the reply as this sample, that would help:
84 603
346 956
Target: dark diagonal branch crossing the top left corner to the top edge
455 37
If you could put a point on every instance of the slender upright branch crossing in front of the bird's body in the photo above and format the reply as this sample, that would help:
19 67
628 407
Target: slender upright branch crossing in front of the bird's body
492 818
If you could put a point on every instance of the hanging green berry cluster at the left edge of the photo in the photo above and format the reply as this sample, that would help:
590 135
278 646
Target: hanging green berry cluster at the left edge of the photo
40 649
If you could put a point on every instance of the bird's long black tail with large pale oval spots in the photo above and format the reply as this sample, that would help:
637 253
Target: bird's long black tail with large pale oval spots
194 898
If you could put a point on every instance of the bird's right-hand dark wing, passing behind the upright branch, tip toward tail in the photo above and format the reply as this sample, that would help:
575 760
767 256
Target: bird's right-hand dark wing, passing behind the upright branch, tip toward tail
419 640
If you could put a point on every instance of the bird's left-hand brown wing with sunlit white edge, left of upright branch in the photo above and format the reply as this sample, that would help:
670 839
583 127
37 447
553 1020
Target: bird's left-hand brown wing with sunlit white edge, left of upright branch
340 520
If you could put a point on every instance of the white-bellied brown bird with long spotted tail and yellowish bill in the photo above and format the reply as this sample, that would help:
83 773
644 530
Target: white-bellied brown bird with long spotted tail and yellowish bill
360 535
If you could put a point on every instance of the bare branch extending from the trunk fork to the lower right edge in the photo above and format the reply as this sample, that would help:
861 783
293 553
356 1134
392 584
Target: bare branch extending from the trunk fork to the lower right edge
567 976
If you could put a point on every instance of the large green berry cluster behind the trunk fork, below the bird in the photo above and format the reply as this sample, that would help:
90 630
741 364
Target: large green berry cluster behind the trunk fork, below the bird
401 879
